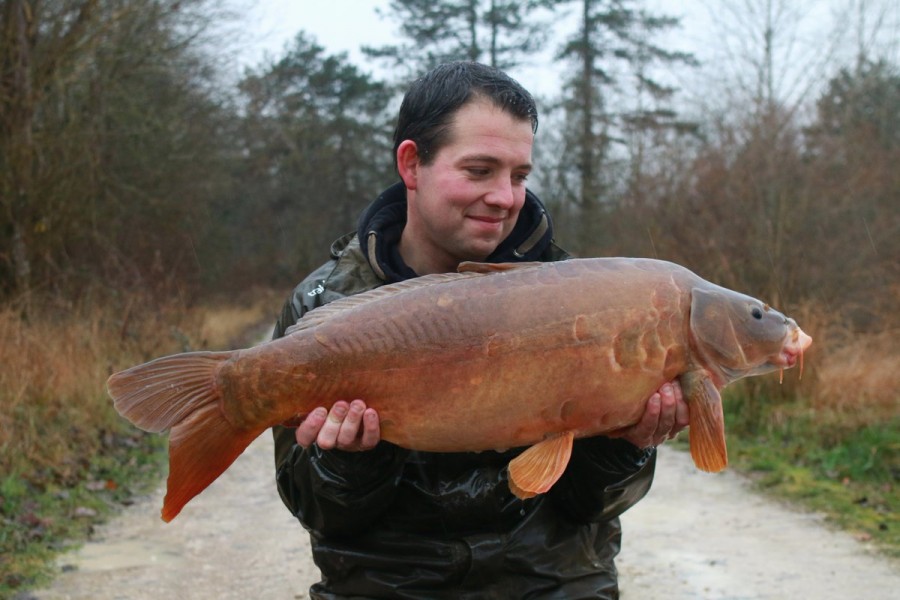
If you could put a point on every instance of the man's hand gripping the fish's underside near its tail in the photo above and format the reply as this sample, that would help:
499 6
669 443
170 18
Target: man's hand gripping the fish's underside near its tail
347 426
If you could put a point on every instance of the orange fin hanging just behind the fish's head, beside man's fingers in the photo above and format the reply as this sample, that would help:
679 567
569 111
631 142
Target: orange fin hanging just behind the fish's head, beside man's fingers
707 427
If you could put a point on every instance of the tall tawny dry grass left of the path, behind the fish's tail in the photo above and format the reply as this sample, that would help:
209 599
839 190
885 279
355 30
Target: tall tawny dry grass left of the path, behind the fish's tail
54 412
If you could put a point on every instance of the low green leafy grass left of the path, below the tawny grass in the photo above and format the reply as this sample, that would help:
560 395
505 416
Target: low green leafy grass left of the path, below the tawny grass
40 518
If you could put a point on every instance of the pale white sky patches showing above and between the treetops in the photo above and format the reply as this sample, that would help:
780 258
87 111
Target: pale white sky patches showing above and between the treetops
345 25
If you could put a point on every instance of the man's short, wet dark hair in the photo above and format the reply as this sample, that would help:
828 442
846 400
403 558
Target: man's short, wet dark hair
432 100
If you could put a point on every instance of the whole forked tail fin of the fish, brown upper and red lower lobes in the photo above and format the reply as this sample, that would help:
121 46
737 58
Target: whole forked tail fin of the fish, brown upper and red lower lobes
180 393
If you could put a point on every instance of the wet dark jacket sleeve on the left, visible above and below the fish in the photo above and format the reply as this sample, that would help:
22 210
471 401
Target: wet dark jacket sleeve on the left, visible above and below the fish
331 492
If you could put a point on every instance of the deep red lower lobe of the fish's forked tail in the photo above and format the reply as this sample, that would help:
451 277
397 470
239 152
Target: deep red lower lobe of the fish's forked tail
201 447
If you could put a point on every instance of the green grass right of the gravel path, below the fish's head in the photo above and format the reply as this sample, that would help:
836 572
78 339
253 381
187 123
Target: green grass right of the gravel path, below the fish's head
818 460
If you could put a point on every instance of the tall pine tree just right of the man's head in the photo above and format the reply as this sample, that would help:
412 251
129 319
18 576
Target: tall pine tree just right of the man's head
612 51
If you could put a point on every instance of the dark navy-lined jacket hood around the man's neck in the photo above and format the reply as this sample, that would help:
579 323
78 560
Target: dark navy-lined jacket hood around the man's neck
382 222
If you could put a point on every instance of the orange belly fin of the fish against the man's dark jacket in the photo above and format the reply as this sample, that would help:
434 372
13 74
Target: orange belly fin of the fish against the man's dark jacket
538 468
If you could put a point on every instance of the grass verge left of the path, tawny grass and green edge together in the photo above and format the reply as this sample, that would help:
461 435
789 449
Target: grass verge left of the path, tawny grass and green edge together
67 460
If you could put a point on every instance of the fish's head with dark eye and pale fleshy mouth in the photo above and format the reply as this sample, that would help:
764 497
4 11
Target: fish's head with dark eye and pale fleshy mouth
740 336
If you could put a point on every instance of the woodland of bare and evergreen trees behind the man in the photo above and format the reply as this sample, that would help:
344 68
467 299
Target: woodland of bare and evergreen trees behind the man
127 160
